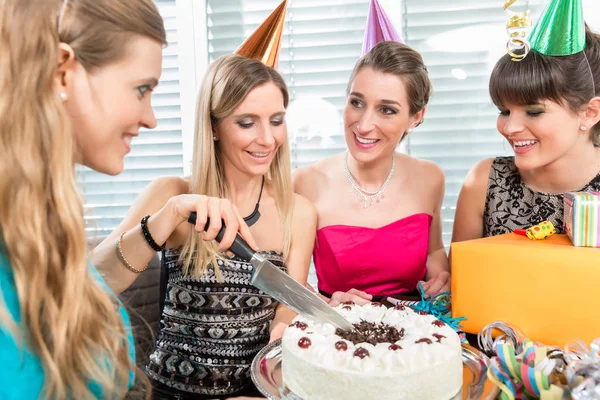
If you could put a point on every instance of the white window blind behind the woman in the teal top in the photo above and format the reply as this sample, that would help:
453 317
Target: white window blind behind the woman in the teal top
154 153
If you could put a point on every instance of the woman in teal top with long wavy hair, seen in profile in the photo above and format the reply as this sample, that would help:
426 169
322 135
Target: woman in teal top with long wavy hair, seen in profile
76 78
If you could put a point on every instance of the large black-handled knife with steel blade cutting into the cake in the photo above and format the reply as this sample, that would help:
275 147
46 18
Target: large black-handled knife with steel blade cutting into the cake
279 285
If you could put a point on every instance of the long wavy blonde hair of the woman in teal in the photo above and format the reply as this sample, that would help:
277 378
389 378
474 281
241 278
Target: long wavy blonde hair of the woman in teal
67 318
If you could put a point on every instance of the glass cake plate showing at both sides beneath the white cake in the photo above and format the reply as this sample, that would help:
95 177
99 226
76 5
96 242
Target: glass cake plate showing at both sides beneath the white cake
266 374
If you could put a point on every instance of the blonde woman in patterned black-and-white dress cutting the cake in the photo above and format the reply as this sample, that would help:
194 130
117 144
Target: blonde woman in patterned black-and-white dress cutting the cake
214 321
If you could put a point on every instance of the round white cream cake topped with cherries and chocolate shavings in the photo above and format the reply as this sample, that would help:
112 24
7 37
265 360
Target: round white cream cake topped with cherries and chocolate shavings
393 353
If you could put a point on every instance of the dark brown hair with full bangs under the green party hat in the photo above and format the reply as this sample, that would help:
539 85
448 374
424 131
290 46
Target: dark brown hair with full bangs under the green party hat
564 80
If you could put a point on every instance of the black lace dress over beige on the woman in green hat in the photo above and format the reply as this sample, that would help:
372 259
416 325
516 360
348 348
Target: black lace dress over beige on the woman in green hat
511 205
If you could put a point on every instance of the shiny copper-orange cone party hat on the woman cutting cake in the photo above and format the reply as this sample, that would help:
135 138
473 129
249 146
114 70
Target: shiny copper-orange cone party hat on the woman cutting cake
264 43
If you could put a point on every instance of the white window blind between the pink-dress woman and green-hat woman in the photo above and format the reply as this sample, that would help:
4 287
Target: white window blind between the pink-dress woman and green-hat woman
460 42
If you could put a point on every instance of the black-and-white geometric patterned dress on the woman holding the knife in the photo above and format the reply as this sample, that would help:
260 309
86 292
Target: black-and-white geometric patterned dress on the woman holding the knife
210 331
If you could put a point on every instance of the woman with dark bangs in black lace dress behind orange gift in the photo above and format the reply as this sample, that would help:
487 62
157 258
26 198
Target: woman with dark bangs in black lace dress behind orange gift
549 113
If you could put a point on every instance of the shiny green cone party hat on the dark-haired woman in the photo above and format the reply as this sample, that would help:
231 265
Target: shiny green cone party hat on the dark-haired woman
560 30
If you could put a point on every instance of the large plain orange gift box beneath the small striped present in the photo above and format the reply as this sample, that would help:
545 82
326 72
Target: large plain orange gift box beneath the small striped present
548 289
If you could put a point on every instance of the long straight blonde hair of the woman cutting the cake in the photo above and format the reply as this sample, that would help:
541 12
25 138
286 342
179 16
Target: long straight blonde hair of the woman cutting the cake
226 84
